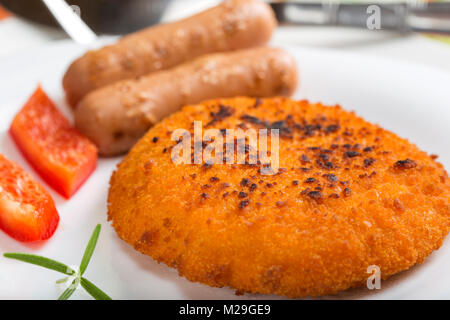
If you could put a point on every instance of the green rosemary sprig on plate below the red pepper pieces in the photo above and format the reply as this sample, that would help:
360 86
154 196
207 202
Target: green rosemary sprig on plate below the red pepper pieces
77 277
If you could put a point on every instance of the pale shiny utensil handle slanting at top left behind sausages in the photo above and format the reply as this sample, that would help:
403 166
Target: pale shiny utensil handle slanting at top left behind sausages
70 21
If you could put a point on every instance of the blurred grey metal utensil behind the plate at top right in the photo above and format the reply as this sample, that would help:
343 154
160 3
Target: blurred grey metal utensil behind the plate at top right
406 17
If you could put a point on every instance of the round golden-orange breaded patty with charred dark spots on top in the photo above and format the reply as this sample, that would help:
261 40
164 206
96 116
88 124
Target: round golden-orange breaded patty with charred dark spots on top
349 194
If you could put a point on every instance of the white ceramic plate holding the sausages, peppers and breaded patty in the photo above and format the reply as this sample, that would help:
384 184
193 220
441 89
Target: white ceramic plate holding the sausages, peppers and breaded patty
410 100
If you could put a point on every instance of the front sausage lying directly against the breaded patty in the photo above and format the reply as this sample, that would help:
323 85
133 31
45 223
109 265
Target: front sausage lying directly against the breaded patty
116 116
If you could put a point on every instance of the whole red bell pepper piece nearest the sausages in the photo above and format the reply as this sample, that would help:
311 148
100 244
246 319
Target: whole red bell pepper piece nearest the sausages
57 151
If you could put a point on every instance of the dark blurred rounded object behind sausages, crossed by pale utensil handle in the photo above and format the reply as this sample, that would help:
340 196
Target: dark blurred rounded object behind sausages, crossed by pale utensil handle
102 16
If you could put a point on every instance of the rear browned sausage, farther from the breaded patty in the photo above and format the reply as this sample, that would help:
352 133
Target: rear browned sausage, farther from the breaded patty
232 25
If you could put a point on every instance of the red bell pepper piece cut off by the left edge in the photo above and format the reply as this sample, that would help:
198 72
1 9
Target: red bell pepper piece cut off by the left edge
27 211
